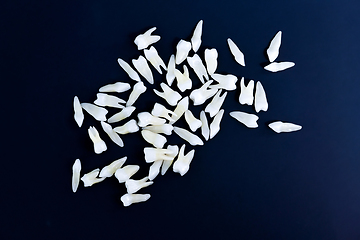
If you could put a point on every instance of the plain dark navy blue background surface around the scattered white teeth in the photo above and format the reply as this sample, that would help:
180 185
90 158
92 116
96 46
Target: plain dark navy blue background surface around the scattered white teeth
243 184
